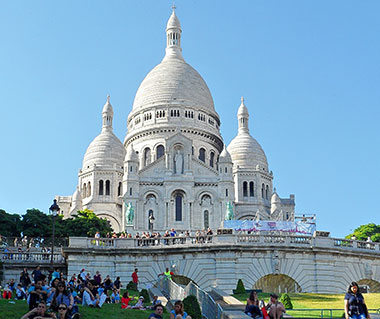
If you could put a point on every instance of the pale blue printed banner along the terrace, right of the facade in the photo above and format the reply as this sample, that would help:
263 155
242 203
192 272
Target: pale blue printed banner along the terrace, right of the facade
296 227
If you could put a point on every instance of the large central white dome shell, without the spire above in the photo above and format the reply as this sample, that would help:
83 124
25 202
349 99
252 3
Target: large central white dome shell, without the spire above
173 80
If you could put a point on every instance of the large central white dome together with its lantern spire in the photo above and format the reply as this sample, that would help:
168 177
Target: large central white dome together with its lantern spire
174 81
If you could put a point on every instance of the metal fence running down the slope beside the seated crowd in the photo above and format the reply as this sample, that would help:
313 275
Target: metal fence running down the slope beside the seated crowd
210 309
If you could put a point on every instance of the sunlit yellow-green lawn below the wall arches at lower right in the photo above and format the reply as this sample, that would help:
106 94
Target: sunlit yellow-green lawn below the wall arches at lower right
317 301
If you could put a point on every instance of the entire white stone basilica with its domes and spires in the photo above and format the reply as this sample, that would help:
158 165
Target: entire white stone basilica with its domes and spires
173 169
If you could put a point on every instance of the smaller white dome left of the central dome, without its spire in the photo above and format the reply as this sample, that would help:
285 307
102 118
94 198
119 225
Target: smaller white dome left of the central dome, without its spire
105 150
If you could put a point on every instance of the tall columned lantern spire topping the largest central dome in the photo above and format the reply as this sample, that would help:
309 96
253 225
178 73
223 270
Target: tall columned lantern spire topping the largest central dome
173 37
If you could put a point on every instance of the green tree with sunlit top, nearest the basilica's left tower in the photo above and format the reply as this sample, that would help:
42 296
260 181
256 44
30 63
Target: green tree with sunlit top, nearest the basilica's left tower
86 223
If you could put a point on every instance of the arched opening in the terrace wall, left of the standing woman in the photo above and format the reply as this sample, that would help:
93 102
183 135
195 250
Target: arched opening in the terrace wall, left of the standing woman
277 283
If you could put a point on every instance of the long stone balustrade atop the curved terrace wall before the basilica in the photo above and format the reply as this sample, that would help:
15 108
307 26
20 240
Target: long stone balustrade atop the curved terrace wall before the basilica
254 240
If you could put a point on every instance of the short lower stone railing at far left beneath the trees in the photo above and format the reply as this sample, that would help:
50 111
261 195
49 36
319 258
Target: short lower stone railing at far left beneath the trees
41 258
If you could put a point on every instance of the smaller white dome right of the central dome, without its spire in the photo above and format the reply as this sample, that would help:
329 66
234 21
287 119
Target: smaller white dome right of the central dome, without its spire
246 152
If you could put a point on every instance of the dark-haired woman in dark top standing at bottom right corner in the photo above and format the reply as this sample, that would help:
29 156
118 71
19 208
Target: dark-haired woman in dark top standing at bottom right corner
354 305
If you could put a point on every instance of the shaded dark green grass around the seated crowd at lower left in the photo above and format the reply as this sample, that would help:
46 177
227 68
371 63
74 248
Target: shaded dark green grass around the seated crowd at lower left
108 311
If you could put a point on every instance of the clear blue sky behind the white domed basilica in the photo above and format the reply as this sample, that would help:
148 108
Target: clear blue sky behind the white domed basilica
309 72
